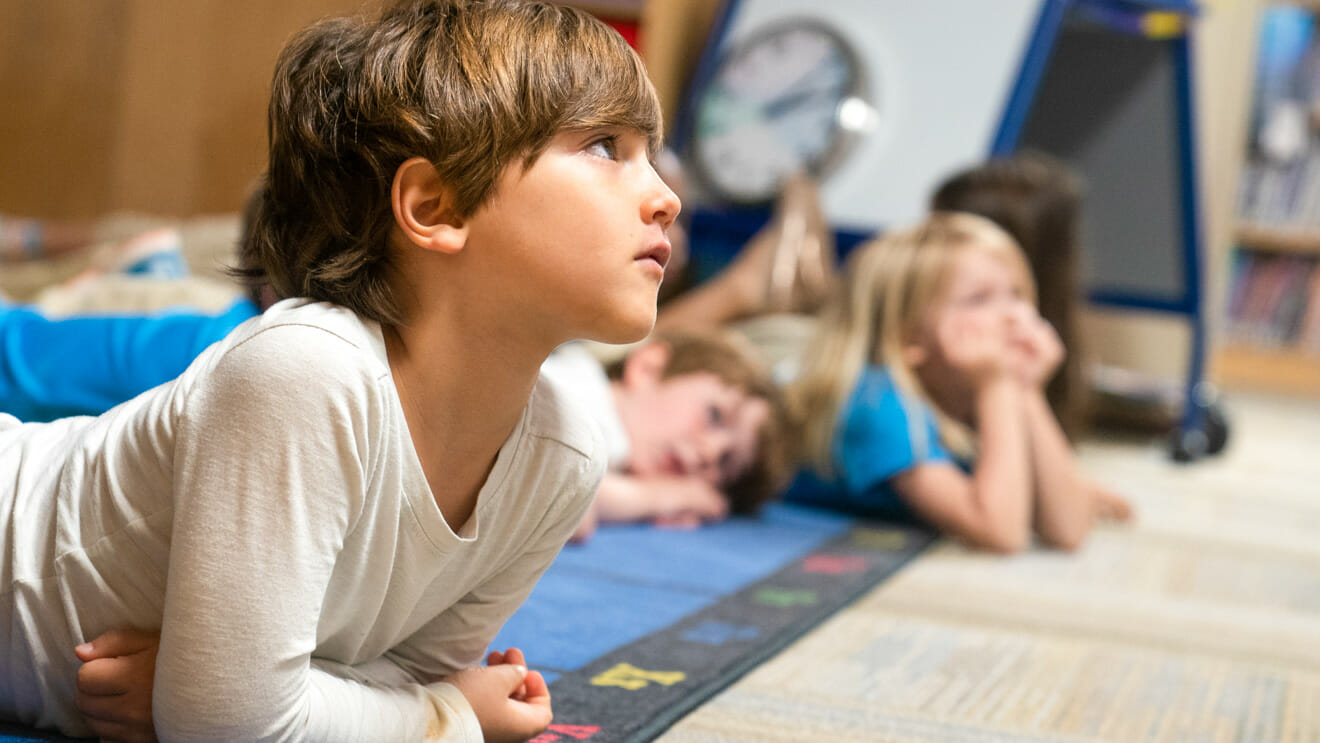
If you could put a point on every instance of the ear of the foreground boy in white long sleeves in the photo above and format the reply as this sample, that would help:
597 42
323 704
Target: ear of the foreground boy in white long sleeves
424 208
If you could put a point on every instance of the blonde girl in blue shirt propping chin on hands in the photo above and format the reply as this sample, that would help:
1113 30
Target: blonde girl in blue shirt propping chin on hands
923 393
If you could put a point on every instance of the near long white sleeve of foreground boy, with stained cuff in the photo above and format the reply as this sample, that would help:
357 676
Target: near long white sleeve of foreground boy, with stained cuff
273 452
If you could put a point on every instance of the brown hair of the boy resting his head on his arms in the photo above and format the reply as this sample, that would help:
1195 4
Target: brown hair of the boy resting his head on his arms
729 358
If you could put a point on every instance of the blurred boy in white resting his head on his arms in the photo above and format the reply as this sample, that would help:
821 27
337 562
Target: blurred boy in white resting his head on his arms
694 426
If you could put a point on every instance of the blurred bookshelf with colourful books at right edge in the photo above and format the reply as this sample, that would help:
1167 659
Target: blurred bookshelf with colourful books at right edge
1273 306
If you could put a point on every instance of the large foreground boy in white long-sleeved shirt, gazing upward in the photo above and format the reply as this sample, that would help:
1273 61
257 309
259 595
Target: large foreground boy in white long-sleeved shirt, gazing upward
332 513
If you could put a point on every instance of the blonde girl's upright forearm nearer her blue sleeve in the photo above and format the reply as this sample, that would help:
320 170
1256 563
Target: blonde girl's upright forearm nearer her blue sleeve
1003 477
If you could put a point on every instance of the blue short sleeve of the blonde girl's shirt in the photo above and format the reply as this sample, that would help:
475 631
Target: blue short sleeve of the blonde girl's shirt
885 434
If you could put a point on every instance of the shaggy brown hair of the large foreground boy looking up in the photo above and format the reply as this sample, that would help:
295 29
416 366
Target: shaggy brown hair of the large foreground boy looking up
471 85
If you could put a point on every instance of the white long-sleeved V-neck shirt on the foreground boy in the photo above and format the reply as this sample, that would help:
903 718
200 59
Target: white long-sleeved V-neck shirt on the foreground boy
269 513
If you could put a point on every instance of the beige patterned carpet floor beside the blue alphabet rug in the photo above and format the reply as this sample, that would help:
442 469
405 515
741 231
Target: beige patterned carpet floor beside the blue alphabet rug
1198 622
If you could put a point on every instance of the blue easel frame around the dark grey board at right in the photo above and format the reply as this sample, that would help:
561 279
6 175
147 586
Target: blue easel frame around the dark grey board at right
1191 303
